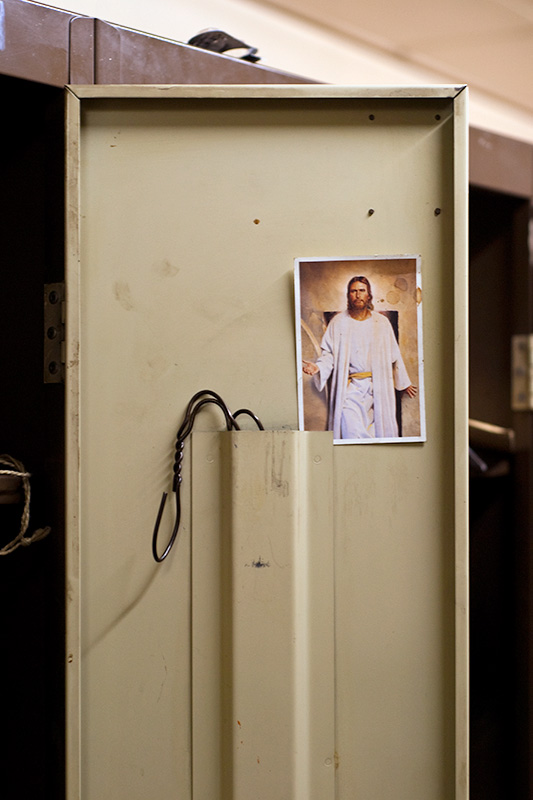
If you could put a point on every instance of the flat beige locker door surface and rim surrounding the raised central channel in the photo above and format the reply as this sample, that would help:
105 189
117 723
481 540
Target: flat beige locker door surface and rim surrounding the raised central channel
192 210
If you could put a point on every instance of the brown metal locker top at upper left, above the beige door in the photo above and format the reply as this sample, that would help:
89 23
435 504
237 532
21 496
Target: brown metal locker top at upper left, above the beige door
47 45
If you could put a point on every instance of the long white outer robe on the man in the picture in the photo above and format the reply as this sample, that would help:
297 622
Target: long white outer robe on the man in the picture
387 367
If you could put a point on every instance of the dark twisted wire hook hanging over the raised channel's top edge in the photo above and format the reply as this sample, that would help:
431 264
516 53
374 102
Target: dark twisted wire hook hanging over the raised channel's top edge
194 406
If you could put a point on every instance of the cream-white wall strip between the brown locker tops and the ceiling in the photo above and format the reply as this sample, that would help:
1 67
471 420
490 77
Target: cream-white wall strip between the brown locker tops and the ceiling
288 43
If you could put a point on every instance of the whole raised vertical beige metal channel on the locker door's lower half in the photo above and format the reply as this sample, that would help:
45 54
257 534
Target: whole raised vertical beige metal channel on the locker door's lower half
263 640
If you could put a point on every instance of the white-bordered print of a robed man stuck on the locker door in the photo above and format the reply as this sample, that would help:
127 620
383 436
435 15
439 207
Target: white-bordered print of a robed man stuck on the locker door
359 348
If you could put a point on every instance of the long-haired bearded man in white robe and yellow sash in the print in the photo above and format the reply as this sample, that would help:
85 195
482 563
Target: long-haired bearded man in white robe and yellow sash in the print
360 351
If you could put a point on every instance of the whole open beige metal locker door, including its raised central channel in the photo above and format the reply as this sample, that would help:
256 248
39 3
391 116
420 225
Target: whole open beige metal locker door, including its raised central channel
186 208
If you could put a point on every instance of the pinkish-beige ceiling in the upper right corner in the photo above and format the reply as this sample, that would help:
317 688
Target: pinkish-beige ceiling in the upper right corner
485 43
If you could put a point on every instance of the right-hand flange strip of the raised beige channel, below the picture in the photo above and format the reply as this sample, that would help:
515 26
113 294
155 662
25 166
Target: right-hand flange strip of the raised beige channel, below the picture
314 672
